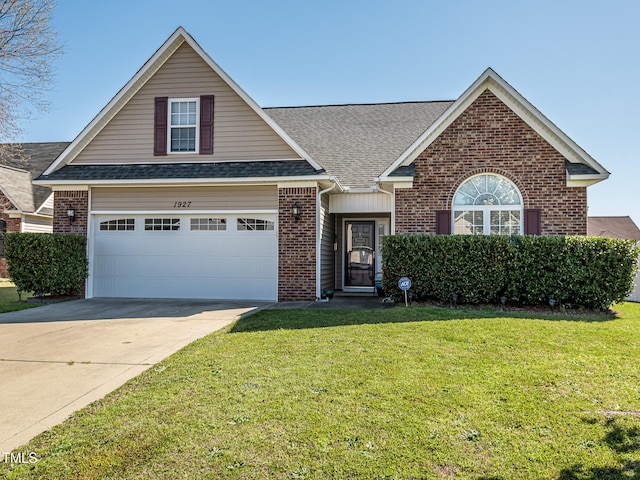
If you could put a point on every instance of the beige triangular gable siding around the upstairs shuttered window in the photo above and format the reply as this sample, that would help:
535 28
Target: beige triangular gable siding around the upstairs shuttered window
239 133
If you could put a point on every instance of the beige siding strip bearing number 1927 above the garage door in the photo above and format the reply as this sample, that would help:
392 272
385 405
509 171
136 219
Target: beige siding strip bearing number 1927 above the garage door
124 199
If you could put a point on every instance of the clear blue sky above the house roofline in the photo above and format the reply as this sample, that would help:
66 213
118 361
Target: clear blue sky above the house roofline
578 62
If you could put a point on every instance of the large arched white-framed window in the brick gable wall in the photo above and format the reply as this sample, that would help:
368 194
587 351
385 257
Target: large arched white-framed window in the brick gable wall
487 204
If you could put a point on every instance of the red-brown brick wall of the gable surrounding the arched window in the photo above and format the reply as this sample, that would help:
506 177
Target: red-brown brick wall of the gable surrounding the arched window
489 137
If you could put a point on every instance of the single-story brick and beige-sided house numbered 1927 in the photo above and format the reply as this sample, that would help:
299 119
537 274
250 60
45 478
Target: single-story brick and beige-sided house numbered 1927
185 187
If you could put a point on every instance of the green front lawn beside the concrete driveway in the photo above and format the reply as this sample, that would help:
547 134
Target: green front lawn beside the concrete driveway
406 393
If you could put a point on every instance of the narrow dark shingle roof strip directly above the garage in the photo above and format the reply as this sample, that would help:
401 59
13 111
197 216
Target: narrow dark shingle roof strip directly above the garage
183 170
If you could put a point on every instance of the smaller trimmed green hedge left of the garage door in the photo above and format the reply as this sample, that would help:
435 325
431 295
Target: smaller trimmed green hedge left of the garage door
47 263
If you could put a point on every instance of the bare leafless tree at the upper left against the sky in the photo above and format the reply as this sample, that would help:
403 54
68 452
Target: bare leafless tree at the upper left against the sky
28 48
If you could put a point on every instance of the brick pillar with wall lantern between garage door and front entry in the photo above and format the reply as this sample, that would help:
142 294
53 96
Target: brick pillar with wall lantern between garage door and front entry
296 245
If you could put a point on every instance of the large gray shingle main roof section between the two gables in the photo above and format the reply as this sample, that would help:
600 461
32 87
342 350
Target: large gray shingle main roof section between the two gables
356 143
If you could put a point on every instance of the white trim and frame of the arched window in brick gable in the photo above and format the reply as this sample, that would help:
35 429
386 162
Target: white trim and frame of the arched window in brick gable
487 219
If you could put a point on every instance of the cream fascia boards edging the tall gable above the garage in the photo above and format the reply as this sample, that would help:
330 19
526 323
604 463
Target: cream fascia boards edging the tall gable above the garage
141 77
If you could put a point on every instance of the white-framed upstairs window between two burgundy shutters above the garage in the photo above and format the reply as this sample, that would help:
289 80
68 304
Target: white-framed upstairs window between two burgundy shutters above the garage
183 125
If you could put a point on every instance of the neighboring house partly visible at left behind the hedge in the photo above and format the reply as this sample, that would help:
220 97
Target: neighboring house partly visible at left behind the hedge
25 207
